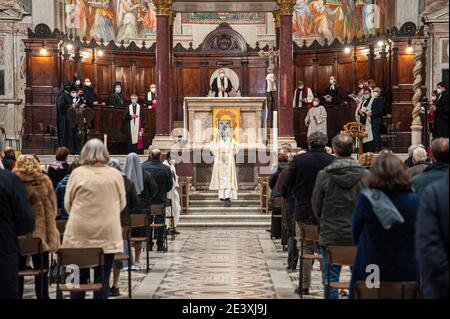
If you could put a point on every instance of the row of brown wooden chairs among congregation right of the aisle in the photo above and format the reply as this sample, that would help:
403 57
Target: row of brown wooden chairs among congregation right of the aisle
344 256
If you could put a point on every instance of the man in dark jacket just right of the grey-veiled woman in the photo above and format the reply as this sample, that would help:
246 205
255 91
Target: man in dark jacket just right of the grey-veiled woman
163 178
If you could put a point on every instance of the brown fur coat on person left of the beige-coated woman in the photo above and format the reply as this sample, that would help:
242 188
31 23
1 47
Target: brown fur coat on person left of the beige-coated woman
43 201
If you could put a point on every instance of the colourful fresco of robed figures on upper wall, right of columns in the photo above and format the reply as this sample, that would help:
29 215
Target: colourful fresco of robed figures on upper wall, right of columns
342 19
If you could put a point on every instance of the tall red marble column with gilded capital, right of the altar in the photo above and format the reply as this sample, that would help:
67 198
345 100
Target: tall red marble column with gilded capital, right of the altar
286 80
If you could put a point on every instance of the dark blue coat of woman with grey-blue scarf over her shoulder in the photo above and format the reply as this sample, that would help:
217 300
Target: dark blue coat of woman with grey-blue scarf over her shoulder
392 250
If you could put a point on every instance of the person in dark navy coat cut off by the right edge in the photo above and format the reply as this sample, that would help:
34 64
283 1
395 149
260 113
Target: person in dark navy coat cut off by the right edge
432 240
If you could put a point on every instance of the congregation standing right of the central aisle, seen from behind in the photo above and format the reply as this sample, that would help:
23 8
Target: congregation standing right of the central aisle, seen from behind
394 212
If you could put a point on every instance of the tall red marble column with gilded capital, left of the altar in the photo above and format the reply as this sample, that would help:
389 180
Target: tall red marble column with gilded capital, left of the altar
163 139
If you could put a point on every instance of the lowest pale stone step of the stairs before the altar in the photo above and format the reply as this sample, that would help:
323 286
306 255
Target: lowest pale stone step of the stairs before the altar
221 218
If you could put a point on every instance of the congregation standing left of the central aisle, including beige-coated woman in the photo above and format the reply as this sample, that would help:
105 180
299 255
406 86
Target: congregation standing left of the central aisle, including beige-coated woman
96 196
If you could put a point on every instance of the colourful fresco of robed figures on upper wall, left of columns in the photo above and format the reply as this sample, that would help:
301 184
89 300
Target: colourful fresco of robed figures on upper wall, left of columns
119 20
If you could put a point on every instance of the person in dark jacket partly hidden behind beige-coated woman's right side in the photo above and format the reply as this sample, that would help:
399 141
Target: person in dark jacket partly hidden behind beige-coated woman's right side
133 204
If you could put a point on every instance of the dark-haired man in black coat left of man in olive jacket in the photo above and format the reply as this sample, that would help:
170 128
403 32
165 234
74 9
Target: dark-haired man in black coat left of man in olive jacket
301 179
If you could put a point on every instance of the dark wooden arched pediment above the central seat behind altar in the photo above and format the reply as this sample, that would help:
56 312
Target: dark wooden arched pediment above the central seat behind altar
224 40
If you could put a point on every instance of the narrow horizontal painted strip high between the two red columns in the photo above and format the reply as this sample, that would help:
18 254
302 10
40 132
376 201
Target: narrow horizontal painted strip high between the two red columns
219 17
